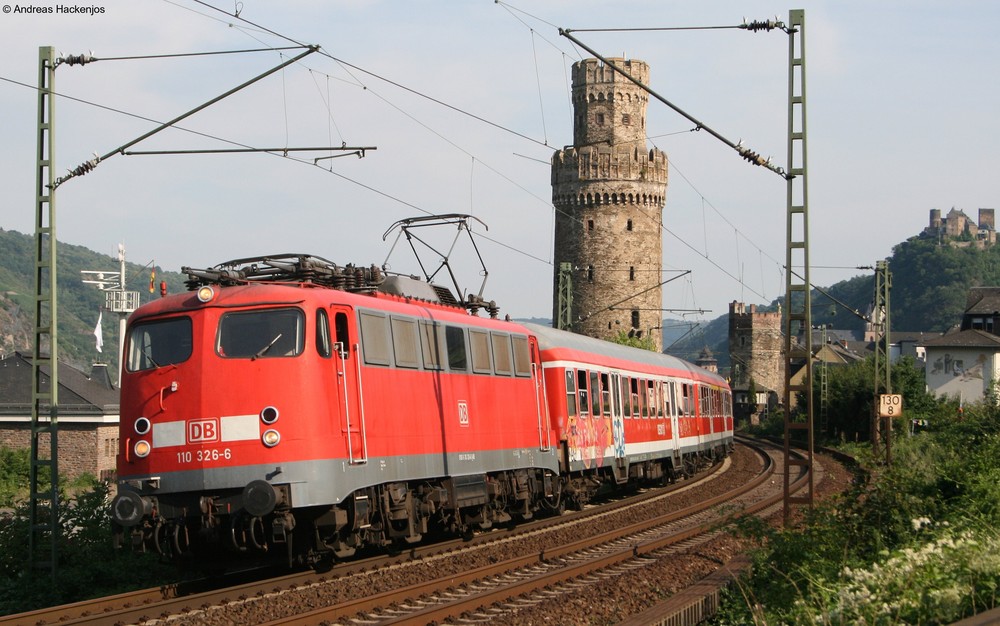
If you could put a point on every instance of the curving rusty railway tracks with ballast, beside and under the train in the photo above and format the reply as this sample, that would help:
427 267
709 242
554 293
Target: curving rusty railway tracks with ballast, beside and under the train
380 593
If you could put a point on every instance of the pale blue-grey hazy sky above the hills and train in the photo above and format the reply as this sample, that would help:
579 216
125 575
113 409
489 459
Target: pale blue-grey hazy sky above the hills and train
461 105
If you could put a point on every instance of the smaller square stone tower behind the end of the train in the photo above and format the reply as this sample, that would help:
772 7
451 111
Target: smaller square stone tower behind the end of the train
755 349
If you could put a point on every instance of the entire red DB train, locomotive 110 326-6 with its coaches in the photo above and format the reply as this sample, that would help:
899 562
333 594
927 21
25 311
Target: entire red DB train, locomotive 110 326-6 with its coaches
292 406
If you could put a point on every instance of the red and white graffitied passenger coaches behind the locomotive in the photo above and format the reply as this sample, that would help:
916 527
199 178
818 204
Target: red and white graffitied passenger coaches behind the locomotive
631 413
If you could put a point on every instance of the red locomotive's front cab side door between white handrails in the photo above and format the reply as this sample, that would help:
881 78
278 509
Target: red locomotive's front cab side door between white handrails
347 360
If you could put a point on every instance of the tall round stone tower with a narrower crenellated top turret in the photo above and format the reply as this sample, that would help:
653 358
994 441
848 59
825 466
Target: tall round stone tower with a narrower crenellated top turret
608 191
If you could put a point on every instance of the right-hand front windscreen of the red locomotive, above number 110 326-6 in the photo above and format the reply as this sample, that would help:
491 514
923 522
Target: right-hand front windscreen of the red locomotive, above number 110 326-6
262 333
